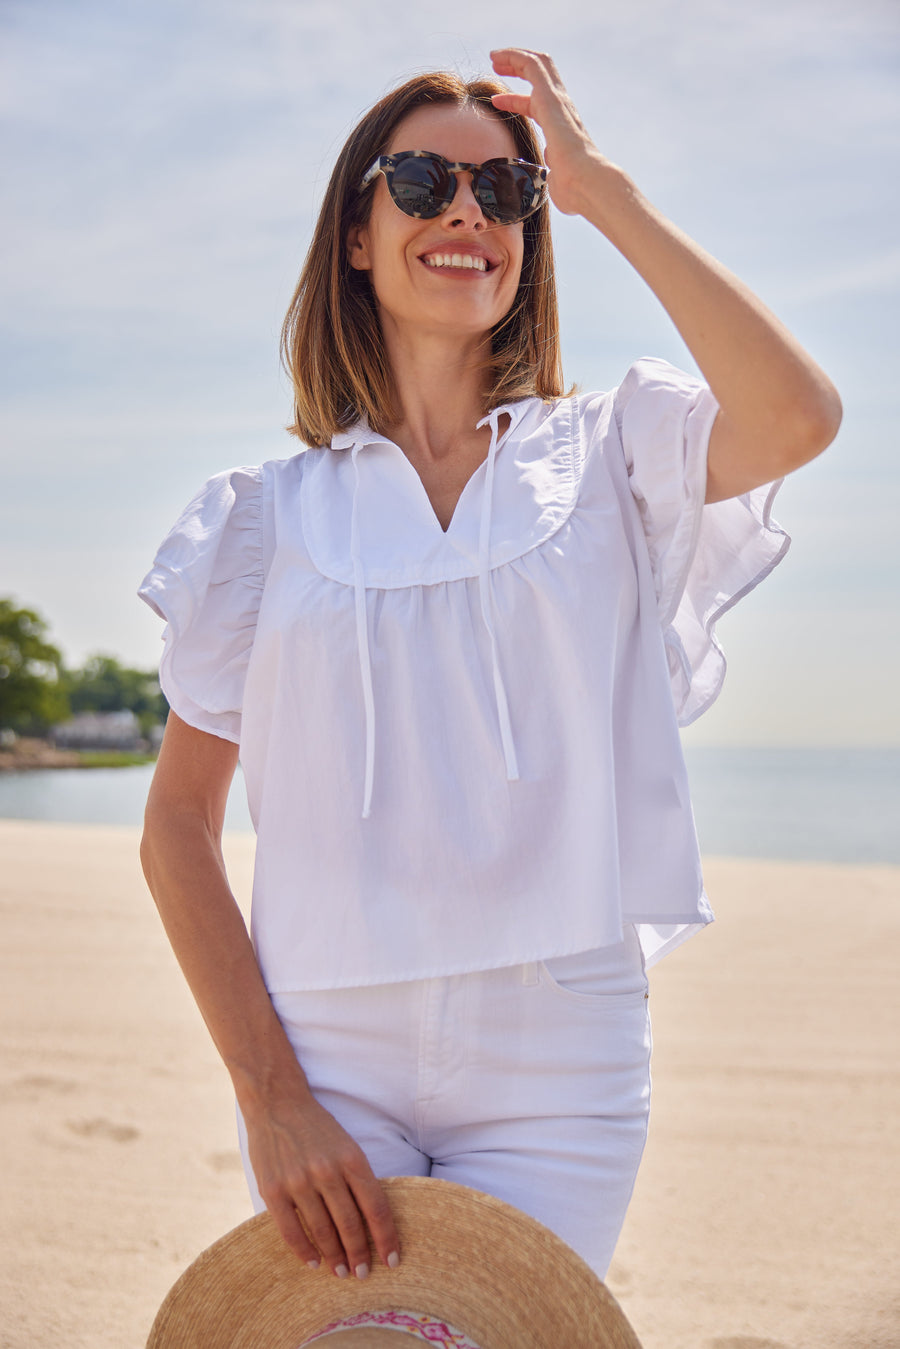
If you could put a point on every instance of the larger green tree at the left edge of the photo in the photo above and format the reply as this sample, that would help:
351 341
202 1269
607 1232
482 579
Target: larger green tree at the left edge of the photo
33 695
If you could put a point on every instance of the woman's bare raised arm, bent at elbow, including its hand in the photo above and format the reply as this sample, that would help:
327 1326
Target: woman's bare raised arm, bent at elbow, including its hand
778 409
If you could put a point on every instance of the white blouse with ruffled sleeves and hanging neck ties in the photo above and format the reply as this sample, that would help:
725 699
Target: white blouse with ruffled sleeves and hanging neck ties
461 748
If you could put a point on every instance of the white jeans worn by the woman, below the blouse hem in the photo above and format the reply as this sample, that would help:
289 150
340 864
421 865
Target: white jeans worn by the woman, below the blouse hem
531 1084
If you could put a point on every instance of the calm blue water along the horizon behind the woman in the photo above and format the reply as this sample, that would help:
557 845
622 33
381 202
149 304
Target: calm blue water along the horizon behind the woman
828 806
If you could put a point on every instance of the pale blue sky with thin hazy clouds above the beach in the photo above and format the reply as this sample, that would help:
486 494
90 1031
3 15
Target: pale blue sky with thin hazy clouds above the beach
163 168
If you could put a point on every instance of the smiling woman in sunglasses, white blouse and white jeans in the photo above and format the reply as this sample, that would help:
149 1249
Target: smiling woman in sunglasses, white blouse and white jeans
453 640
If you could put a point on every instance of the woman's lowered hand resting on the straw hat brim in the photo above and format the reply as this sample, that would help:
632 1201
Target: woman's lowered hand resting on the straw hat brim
318 1184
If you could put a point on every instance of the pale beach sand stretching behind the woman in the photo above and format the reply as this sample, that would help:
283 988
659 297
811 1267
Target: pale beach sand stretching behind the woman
767 1215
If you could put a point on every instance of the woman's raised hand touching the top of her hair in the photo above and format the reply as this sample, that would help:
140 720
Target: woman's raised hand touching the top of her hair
569 150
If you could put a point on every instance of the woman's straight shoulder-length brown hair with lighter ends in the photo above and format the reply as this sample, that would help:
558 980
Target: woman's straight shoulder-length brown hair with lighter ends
333 345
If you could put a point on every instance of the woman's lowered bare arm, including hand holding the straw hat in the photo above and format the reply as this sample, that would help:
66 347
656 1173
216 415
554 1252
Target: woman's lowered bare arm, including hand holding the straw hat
304 1161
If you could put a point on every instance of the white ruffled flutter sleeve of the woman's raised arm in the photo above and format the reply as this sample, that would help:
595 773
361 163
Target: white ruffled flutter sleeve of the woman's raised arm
704 559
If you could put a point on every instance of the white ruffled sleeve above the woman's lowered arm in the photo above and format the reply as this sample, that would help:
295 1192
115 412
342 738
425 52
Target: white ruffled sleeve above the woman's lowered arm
207 583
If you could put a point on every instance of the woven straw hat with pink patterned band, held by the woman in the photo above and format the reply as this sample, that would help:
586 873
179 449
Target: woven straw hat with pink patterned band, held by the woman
496 1277
